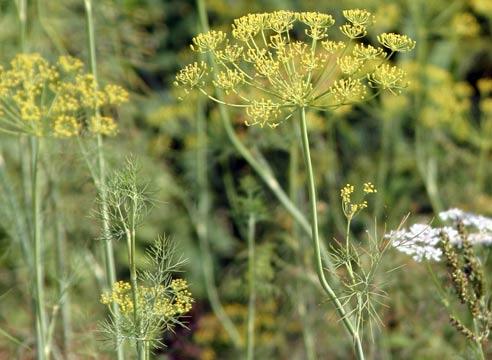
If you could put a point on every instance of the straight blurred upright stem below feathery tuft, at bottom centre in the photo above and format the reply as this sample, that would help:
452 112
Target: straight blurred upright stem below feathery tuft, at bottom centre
252 287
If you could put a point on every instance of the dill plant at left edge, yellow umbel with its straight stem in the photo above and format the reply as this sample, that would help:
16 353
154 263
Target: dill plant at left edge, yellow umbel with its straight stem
39 99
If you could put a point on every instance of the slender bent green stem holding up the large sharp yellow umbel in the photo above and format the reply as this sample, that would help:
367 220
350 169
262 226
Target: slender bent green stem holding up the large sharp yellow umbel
316 241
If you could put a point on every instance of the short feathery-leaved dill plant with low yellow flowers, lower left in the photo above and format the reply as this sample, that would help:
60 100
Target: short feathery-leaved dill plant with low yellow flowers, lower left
152 302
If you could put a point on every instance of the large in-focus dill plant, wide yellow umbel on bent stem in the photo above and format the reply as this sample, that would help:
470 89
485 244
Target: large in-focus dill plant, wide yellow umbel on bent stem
272 73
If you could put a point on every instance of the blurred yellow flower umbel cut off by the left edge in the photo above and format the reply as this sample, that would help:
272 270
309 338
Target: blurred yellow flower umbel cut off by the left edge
43 99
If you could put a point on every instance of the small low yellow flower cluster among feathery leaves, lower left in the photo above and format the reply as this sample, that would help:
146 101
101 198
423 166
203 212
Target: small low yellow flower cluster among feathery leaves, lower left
156 301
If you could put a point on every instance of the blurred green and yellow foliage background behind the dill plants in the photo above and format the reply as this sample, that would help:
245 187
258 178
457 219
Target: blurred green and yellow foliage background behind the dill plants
426 151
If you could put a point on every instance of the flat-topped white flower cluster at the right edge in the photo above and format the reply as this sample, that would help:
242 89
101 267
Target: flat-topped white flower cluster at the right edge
421 241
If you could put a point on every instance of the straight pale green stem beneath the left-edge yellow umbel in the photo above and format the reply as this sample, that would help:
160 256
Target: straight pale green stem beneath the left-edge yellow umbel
38 251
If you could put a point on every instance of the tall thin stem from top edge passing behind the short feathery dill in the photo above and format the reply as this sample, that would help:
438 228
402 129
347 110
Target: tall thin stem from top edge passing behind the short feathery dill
101 180
